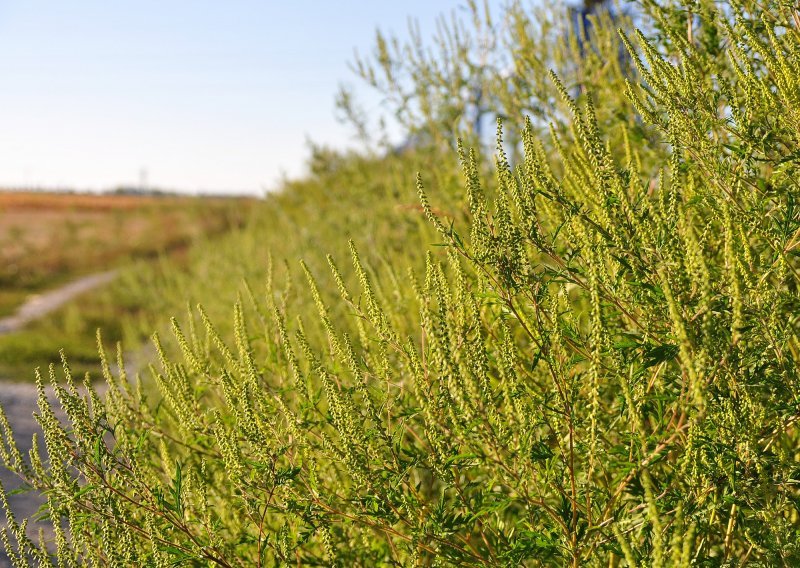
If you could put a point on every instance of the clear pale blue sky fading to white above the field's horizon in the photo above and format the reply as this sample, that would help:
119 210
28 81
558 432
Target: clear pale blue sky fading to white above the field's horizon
201 95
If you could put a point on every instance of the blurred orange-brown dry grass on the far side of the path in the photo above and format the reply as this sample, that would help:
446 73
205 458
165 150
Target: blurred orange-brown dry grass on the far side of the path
47 237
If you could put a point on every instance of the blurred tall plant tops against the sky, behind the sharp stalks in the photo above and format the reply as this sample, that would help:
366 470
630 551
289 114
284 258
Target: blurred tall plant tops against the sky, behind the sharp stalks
478 67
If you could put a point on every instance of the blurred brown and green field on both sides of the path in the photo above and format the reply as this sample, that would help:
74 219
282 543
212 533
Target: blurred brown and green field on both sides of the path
48 239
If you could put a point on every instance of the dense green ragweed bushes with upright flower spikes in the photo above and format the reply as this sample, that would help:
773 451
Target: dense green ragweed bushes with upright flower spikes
596 366
